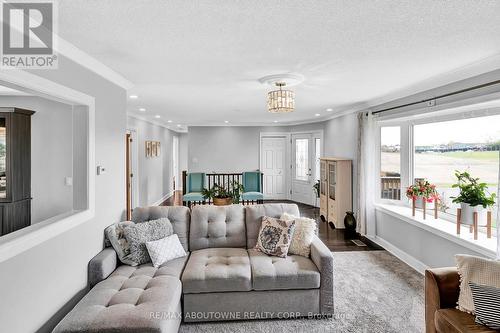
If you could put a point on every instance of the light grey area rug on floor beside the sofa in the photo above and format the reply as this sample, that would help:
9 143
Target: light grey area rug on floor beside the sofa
374 292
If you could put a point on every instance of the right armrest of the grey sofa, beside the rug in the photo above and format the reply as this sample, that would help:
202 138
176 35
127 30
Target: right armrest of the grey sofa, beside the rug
323 259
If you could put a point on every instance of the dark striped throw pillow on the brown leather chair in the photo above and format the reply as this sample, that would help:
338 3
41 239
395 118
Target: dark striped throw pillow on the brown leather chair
487 305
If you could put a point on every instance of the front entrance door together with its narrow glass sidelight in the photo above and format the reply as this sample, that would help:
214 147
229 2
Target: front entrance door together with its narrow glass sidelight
306 151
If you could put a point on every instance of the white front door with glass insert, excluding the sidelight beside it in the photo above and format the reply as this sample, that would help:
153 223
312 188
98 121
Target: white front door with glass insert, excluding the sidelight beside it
302 168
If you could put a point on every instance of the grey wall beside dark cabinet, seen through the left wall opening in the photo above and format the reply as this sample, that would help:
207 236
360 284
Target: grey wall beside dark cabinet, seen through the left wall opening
51 154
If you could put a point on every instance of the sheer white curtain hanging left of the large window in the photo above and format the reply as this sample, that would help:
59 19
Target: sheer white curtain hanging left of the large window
366 173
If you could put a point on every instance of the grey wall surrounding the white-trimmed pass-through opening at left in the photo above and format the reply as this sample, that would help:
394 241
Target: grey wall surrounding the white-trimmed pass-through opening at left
39 286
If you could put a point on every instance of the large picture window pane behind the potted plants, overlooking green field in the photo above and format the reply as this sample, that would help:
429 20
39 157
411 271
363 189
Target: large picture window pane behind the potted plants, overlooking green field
470 145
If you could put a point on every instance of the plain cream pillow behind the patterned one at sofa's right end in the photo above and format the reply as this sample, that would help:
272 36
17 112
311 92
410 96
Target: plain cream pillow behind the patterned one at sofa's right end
302 237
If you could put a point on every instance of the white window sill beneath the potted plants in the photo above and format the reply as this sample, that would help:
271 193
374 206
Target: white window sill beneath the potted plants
444 229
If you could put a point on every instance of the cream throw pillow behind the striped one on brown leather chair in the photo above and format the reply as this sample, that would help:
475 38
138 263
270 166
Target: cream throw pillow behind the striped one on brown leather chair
476 270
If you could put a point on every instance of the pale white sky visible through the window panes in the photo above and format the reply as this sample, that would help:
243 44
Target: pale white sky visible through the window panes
472 130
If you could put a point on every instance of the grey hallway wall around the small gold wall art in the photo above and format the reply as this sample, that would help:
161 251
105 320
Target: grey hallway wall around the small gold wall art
155 173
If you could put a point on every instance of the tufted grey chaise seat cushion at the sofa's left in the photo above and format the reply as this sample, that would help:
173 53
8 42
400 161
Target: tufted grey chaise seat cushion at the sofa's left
129 301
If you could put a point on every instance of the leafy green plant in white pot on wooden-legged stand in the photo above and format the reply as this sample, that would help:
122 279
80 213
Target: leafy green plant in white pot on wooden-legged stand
473 198
